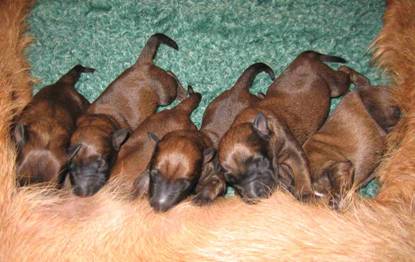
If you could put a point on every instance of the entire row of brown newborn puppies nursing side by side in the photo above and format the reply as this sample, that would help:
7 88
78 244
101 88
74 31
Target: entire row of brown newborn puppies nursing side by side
284 139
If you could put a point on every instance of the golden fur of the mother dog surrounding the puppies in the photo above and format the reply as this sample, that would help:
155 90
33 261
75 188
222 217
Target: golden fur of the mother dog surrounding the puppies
42 225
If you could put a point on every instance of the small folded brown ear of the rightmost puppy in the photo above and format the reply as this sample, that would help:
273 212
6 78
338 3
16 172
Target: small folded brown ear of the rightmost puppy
340 175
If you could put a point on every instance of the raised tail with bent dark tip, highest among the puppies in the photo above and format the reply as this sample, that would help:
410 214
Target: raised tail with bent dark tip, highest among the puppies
150 49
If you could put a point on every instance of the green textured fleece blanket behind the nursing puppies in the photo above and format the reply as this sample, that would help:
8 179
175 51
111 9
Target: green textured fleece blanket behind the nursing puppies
217 39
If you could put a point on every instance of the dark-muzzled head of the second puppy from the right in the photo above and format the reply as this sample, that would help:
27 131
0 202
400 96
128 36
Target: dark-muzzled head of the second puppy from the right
246 161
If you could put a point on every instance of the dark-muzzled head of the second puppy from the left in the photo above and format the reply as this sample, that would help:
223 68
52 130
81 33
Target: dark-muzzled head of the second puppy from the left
93 149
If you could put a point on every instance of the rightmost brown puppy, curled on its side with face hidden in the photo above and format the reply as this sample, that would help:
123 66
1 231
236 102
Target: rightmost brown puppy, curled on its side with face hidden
349 146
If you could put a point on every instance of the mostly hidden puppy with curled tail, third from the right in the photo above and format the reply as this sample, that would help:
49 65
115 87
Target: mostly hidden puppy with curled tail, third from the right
217 119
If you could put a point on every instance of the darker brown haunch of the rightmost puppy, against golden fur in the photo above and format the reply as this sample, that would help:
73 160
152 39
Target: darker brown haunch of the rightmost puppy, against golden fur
381 106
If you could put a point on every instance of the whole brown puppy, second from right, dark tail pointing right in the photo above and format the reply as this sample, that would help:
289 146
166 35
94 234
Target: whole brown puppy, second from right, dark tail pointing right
264 142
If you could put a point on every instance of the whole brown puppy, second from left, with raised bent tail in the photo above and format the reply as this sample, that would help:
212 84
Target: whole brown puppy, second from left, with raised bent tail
127 101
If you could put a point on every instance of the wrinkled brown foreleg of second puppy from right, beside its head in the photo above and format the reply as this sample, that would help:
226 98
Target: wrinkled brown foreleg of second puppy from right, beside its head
291 162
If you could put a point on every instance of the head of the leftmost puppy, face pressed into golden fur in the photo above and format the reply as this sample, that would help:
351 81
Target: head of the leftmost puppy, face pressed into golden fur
40 155
